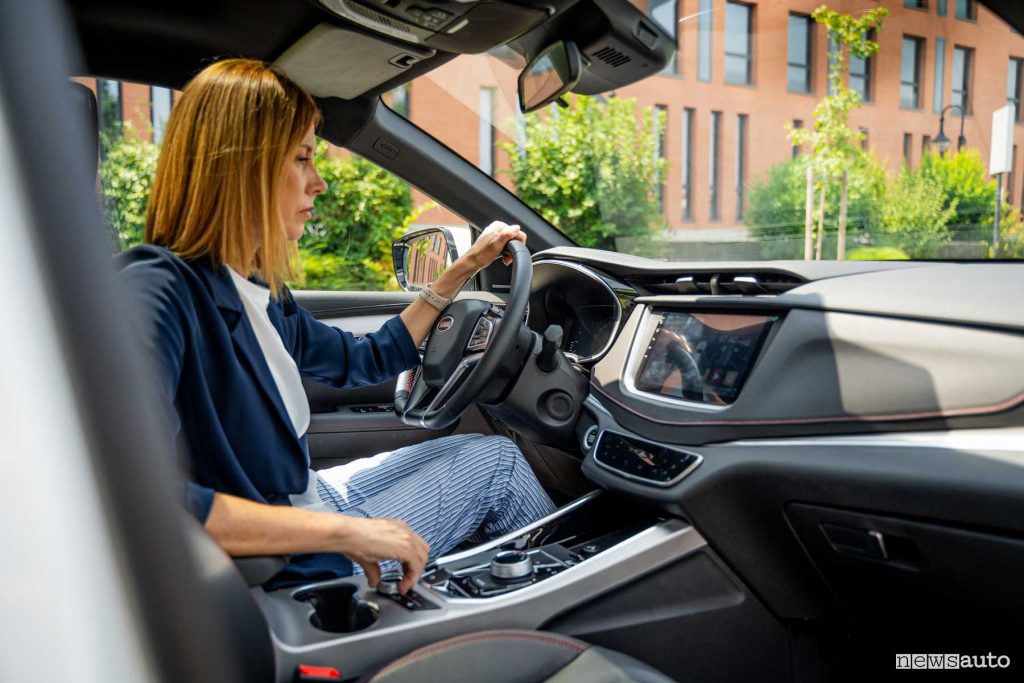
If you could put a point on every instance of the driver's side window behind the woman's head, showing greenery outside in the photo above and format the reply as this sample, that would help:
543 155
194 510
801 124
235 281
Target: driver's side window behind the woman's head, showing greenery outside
347 246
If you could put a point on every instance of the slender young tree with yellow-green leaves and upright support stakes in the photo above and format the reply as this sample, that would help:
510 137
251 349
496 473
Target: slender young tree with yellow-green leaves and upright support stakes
832 143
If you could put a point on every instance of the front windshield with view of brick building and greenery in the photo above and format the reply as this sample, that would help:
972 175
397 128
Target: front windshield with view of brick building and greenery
860 131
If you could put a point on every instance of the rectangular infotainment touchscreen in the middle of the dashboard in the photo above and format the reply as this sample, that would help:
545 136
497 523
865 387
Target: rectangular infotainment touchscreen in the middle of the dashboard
702 357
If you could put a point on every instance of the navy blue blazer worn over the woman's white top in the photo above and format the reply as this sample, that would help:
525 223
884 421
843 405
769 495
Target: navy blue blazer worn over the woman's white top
230 422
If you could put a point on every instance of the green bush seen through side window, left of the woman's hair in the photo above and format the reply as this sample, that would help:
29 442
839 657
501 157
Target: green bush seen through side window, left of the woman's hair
125 178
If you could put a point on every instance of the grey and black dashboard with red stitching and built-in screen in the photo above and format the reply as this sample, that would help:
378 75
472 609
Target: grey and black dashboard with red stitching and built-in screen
838 432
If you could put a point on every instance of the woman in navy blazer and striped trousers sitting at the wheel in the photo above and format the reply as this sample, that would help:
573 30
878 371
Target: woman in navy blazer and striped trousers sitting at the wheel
234 188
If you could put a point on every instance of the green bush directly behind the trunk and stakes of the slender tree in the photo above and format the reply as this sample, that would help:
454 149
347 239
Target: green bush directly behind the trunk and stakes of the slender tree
777 201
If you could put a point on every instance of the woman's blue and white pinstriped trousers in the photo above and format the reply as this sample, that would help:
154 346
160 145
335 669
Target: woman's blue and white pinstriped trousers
447 490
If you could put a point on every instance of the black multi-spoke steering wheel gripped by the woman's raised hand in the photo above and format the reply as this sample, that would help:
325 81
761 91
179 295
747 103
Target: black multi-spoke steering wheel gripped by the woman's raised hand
465 351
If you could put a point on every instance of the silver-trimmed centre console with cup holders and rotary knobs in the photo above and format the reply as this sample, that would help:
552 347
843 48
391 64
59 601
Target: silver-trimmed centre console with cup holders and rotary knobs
588 548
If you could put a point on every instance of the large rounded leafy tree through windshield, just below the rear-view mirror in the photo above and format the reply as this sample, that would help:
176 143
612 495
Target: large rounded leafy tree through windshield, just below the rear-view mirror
592 170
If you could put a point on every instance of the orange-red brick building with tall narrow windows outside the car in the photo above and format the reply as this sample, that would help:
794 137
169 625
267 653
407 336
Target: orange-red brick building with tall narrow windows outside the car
744 72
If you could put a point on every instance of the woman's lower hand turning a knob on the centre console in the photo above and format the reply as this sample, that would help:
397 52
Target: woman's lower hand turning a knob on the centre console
371 541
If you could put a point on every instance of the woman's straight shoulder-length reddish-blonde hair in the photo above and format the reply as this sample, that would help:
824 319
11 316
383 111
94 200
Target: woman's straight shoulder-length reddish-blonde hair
225 150
